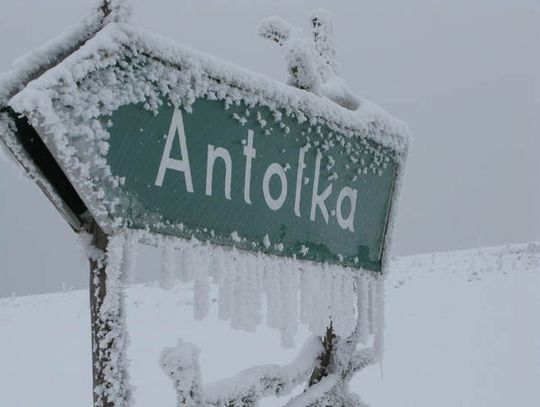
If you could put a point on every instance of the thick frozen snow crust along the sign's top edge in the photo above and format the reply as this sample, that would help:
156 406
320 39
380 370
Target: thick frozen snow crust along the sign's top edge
128 49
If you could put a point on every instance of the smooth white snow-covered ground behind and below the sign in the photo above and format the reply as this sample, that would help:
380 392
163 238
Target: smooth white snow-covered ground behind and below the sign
461 330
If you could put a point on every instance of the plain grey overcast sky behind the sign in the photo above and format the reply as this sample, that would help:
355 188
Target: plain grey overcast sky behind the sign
465 75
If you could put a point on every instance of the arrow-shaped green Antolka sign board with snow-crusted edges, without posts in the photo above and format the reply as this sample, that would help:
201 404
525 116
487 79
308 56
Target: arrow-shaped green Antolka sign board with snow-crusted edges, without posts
156 136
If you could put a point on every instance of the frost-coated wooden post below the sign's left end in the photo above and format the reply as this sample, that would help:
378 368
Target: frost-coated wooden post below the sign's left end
108 330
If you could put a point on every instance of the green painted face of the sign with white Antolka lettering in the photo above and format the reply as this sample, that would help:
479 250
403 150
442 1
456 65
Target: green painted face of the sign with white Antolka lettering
269 206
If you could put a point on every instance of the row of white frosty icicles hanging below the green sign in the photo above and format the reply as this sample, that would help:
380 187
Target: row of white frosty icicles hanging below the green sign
254 288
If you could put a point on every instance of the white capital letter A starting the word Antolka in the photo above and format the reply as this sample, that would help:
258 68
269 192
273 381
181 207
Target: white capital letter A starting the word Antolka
177 126
